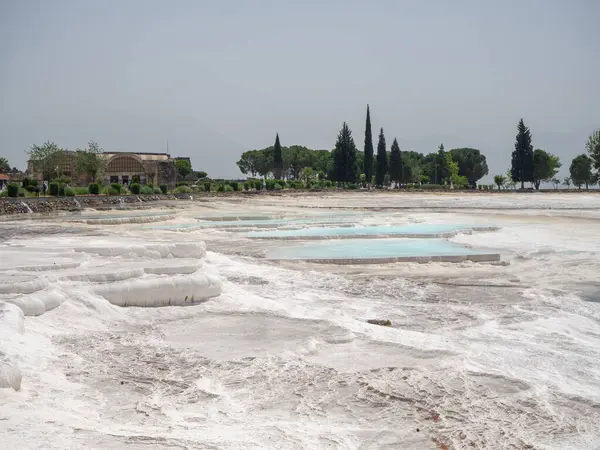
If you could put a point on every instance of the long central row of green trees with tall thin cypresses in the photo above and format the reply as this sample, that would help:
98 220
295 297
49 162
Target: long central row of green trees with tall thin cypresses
345 164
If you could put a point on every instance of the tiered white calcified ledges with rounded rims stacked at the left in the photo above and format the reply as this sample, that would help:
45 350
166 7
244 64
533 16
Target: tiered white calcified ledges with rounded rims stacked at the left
136 275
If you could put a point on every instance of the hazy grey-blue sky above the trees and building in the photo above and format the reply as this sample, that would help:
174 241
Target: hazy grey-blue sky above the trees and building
216 78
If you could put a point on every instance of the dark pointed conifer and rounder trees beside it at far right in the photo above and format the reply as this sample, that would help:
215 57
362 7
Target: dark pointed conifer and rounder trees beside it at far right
534 166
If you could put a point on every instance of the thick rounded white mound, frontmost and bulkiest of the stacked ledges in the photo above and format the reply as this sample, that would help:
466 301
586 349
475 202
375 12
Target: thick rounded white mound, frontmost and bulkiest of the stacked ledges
172 291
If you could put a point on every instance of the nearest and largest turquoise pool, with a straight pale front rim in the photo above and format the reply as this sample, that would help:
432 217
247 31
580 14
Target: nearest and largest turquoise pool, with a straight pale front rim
370 249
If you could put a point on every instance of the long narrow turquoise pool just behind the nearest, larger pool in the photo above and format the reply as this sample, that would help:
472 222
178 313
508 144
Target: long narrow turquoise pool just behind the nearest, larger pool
420 229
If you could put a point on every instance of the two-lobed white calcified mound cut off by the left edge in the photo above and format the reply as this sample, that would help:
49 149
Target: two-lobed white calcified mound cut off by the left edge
11 323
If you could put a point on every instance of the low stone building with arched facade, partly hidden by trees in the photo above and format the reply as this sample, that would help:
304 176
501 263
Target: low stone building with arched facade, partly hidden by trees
121 167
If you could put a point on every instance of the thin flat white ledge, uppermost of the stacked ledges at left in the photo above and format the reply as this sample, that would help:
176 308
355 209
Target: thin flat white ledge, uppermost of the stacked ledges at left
173 250
